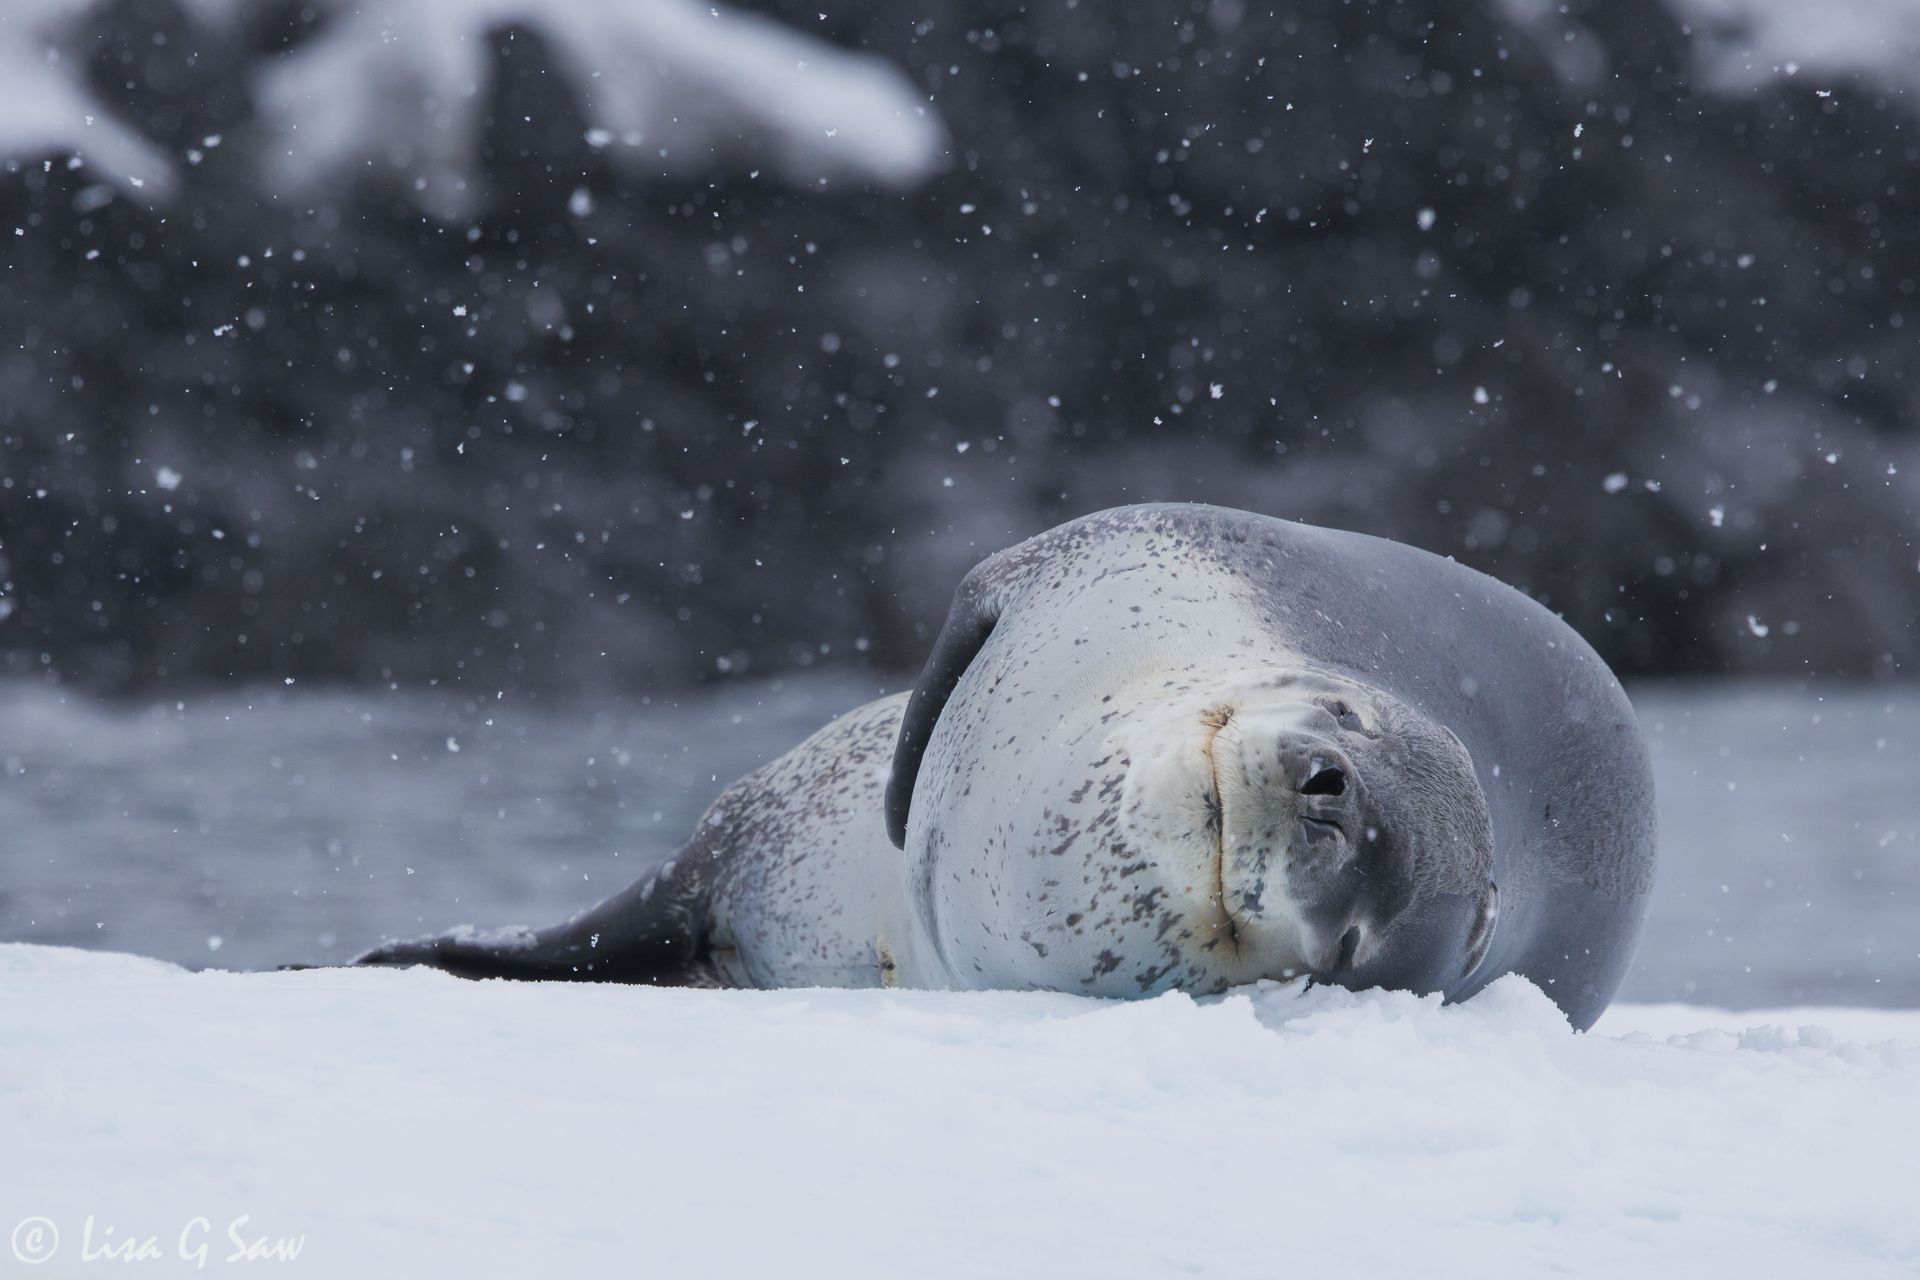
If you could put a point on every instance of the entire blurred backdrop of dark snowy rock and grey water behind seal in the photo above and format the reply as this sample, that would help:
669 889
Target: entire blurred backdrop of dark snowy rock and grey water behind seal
496 354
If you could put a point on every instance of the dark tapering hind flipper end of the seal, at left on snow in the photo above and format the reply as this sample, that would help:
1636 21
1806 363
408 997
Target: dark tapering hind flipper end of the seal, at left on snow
656 932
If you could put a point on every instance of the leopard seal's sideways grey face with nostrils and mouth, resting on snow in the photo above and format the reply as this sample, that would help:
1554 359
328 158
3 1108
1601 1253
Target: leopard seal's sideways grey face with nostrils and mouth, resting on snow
1345 834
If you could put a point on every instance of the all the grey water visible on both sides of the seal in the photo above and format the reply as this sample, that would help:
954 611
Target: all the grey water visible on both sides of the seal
252 830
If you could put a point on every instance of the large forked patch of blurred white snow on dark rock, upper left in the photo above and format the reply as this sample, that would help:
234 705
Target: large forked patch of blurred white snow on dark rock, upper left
661 83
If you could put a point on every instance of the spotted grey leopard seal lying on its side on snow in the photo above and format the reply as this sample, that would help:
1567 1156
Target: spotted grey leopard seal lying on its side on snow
1172 747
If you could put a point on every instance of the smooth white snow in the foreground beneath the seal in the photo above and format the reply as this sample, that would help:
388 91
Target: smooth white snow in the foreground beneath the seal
408 1124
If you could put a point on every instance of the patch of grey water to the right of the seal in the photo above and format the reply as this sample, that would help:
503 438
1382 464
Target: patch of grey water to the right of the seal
1790 845
